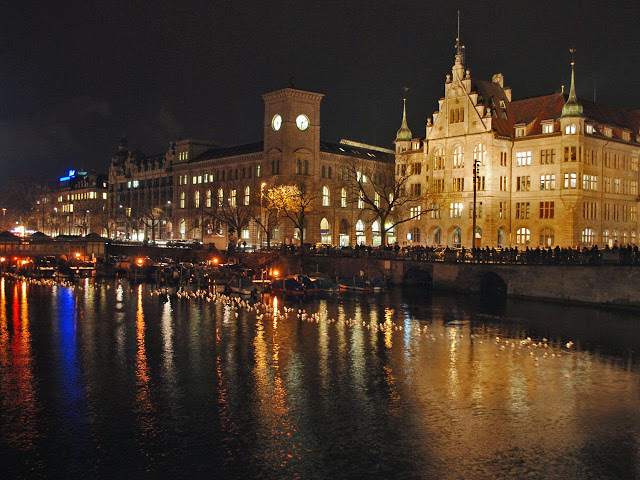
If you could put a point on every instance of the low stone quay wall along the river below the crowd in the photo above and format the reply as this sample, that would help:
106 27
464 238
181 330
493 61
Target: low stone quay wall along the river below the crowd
596 284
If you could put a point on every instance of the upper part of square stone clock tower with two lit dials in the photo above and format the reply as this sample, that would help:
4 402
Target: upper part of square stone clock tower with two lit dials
292 132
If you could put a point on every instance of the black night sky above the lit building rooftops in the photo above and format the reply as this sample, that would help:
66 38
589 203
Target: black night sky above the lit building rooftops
76 74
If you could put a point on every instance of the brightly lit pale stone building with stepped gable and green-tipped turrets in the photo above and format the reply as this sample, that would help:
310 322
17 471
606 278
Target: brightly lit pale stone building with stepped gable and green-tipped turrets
551 171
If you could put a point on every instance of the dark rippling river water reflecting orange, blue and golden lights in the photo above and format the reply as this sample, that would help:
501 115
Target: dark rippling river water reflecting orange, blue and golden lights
111 380
